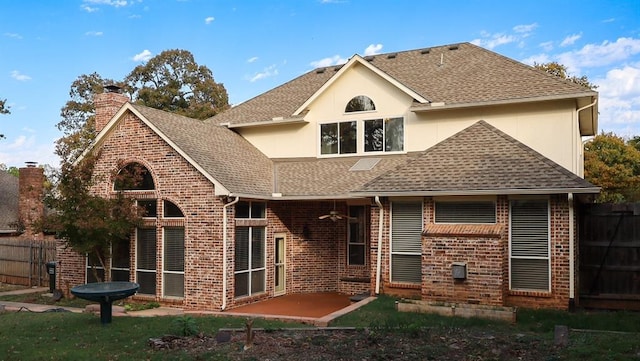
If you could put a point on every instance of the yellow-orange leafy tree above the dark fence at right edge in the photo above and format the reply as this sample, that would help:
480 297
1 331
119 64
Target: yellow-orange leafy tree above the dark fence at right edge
614 165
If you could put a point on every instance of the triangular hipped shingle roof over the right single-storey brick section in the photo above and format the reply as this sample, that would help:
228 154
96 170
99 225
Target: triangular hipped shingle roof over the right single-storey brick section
478 160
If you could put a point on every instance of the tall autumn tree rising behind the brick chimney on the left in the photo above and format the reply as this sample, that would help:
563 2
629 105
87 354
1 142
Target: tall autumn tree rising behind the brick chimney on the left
171 81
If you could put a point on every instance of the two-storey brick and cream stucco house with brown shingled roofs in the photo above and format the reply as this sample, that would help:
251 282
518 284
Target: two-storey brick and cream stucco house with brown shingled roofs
448 173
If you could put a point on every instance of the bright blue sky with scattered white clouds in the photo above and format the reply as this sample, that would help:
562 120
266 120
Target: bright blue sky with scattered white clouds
253 46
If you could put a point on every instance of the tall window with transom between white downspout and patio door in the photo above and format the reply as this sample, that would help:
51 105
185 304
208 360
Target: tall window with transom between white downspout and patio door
250 251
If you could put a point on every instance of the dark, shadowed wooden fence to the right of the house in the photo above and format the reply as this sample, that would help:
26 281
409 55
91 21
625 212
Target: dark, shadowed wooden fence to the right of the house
609 253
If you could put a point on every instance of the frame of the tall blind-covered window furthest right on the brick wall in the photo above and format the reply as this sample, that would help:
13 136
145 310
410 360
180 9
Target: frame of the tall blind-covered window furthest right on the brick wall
546 258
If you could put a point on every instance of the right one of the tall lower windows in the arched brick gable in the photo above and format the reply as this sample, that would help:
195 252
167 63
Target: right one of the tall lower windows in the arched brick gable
173 259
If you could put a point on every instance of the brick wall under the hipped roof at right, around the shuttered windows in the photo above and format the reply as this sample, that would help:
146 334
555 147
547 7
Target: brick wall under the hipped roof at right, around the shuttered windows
485 251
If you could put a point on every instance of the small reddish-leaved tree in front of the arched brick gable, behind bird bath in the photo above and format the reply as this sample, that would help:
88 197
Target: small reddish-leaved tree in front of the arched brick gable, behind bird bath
87 223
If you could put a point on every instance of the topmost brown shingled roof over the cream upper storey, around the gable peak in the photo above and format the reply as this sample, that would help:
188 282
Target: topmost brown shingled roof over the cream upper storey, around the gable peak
453 75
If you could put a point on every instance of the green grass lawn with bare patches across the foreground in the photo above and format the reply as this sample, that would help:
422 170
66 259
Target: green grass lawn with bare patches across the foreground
381 333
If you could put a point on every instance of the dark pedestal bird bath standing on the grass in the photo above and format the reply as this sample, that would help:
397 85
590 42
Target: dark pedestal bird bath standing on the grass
105 293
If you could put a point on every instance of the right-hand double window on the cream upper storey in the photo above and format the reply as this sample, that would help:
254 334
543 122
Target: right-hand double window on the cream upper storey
384 135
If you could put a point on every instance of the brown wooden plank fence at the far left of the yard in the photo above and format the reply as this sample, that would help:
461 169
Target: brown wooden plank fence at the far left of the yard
23 262
